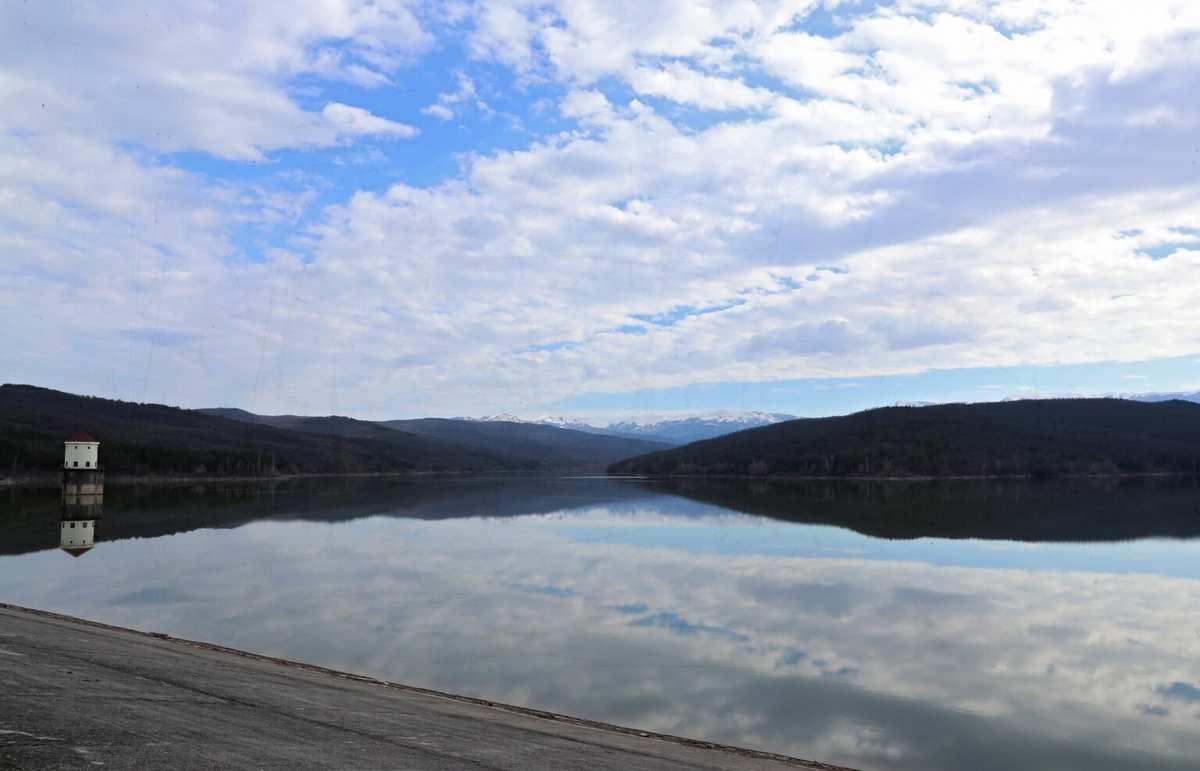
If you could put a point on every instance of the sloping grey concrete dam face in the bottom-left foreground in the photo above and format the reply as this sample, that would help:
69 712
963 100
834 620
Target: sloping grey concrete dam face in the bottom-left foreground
79 696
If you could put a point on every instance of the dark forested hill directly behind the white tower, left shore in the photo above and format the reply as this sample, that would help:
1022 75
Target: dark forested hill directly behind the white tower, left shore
146 439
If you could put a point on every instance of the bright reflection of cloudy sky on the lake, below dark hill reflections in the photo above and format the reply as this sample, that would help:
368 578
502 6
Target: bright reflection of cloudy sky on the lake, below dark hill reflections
868 662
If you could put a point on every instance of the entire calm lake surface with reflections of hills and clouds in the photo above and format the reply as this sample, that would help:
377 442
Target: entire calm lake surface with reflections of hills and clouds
881 626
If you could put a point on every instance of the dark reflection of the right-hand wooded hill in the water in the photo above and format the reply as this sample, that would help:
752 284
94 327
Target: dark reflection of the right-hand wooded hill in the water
1034 511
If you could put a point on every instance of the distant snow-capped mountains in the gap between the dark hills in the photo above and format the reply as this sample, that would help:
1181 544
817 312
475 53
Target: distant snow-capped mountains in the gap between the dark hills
679 431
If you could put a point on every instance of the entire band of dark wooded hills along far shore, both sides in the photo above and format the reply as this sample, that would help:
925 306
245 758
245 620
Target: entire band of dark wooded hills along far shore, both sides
1019 439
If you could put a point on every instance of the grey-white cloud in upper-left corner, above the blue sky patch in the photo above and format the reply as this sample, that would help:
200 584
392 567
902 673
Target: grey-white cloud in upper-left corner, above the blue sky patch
211 79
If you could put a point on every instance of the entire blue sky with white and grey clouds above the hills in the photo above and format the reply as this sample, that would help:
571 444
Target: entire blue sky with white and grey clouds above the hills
601 210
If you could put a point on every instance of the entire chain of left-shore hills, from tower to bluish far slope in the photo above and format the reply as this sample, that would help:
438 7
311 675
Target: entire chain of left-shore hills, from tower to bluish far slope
161 440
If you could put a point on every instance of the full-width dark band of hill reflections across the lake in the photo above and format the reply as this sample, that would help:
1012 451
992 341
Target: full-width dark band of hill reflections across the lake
1051 511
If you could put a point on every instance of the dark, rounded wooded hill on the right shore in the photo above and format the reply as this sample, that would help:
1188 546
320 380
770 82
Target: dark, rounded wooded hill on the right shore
1059 437
